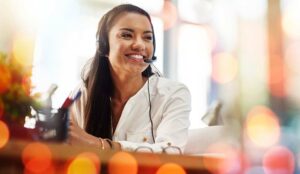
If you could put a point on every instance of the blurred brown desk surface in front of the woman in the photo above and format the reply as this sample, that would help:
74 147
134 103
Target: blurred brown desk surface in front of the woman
62 155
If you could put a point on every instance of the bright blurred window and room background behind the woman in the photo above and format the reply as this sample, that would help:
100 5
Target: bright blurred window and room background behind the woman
239 58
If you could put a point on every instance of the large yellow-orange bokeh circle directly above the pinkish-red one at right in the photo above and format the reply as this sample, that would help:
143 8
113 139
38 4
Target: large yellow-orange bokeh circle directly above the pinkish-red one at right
262 126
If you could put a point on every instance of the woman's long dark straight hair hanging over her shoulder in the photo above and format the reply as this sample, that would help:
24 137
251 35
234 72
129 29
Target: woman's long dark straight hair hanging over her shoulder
98 80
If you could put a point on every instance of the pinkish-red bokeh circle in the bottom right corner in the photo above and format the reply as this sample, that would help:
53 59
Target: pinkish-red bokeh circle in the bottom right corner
279 159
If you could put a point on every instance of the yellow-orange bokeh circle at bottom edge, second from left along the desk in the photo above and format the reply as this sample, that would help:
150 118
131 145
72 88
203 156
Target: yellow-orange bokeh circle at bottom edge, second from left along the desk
86 162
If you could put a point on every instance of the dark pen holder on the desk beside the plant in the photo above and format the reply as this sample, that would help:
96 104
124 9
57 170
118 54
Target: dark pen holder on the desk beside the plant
53 126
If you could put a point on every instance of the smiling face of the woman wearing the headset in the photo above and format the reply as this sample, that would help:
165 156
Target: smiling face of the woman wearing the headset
130 42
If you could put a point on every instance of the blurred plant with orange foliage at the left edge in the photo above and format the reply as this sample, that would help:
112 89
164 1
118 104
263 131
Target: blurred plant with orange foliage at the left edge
15 95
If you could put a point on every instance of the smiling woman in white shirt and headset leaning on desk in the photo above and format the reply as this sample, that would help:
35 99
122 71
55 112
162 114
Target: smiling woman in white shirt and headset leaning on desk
123 104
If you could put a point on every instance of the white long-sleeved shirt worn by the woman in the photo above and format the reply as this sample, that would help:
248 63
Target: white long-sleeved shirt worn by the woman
170 109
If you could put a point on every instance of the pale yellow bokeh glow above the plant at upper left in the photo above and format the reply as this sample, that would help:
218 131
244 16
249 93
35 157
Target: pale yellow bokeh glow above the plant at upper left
23 48
